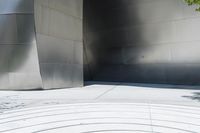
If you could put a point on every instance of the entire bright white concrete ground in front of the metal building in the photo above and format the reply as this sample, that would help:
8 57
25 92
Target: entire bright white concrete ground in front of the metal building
102 108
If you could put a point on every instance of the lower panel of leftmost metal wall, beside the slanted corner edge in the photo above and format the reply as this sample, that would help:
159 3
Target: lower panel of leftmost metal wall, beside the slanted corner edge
24 67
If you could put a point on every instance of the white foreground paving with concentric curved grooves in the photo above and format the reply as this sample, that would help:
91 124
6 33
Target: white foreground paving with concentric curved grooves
102 118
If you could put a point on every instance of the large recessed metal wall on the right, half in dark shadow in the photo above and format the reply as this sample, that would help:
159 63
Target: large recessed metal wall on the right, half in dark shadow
144 41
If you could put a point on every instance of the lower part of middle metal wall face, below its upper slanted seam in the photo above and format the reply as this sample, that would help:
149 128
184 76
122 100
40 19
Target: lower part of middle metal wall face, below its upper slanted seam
60 62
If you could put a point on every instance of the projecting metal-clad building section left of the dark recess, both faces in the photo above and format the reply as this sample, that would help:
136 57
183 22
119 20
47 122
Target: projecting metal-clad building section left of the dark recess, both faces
40 44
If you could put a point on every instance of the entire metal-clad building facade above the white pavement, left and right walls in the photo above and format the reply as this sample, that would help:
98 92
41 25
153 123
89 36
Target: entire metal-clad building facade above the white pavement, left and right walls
45 44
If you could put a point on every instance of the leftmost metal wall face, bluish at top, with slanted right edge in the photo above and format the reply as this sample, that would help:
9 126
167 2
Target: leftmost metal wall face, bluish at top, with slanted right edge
19 67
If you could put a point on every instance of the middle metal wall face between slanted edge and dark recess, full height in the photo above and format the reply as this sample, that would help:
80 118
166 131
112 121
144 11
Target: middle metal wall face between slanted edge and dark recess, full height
59 39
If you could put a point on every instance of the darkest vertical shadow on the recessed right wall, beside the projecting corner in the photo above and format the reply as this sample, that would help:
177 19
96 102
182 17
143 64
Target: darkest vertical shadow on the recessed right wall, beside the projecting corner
107 32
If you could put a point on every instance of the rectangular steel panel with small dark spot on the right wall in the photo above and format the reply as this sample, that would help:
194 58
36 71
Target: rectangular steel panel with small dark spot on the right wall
156 54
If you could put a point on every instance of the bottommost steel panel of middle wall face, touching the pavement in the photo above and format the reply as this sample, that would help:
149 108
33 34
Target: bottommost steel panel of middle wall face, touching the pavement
60 75
